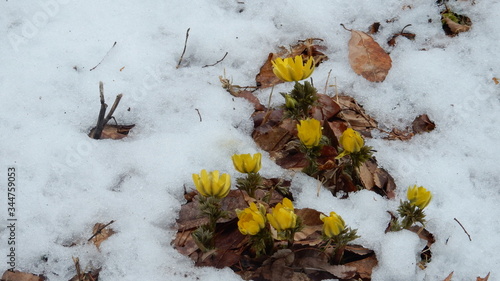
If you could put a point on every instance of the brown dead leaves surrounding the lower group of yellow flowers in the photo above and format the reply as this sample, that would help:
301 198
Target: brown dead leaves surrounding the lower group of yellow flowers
306 260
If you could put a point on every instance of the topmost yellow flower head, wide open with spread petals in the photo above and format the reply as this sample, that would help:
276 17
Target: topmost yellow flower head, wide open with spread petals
293 69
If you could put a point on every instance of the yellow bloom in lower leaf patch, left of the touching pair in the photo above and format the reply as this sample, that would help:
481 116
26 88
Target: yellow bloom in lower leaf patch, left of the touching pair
251 219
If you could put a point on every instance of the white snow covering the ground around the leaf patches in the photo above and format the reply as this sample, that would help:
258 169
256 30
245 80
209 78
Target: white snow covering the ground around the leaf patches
68 182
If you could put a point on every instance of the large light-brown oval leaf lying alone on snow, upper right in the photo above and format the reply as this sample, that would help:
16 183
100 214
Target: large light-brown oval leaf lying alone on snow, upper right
367 58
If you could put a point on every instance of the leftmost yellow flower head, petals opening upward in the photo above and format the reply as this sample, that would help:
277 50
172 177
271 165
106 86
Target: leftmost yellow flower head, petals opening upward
211 185
